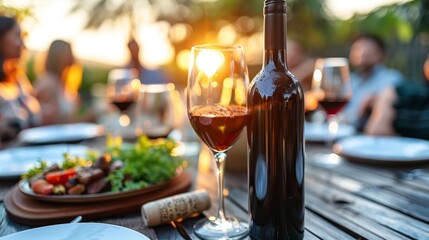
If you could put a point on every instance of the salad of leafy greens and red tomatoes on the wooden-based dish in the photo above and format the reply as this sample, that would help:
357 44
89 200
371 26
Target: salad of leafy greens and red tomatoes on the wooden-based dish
121 167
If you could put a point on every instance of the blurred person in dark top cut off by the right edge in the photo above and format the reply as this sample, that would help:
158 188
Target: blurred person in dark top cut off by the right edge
402 110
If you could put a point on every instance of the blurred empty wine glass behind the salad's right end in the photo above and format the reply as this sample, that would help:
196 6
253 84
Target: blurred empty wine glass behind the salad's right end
155 110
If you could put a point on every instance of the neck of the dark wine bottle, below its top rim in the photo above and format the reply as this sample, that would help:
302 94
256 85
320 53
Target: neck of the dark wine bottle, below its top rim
275 38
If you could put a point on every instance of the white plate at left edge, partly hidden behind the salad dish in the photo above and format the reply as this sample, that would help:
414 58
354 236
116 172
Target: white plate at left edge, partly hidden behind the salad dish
16 161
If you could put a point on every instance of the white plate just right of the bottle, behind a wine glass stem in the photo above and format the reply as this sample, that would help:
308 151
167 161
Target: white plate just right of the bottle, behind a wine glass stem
319 132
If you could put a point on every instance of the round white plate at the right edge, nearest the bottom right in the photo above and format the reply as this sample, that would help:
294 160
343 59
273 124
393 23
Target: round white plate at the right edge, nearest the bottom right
383 149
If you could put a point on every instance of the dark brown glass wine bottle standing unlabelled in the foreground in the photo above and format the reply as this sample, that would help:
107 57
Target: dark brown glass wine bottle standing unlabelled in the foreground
275 138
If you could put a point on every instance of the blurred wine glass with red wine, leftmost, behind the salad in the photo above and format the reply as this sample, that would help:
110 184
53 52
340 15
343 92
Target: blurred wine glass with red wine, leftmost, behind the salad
122 91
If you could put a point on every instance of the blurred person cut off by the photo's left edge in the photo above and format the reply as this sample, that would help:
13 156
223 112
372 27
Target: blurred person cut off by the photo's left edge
19 108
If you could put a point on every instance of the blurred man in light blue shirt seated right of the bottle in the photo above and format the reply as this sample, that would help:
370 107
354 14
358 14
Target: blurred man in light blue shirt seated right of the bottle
370 77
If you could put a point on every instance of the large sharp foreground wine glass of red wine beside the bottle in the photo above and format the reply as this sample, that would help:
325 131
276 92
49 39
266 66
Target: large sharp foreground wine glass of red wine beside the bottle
217 109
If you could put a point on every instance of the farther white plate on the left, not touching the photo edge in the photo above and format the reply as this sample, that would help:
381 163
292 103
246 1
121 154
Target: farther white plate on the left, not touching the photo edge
62 133
